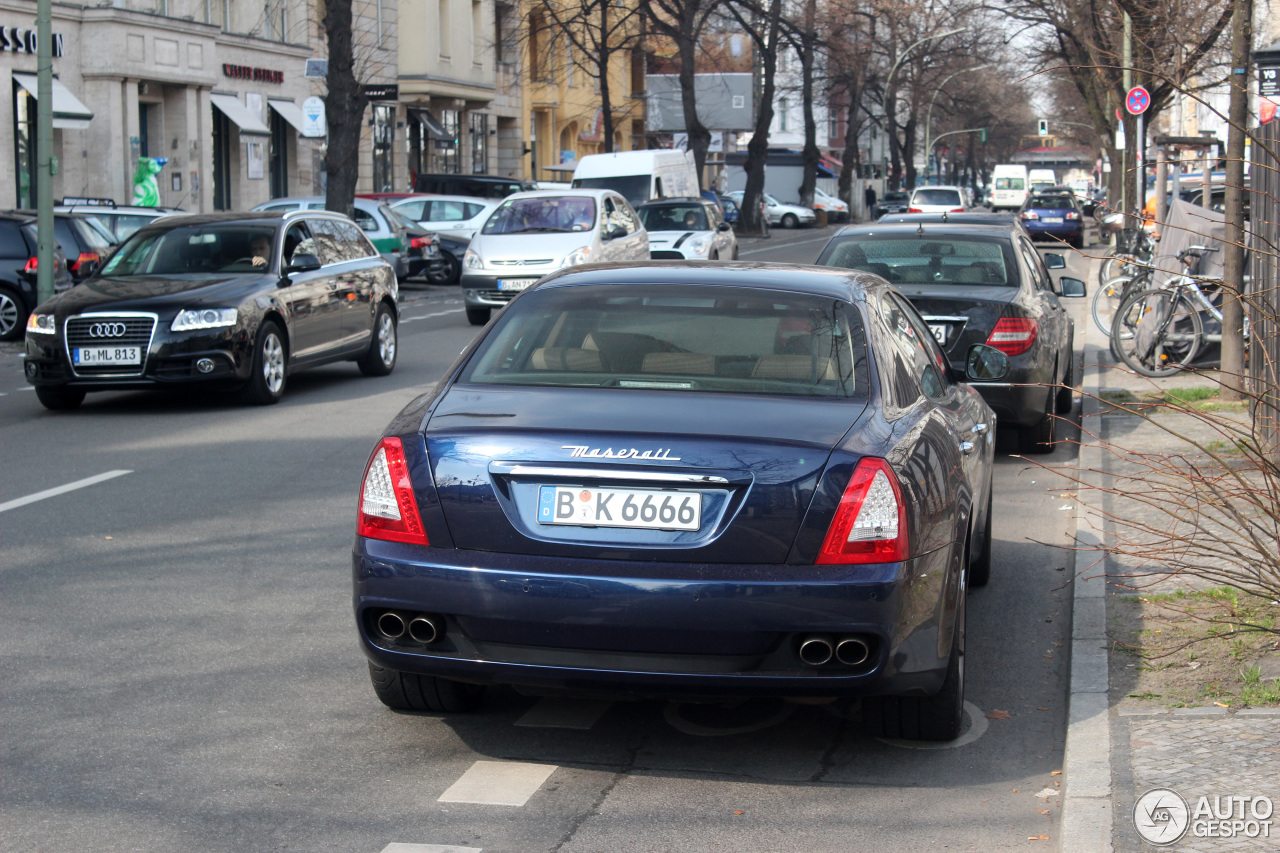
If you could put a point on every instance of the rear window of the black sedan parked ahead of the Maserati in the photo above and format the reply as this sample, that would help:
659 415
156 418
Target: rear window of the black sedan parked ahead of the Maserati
913 259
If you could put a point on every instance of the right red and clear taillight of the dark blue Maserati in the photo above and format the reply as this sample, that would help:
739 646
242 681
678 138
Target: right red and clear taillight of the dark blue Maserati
871 521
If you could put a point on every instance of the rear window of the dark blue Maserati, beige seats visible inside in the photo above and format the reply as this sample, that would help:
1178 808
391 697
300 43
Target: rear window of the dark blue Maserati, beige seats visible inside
670 337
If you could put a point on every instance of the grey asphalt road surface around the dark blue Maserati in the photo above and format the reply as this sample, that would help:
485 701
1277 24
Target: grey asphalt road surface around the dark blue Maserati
180 667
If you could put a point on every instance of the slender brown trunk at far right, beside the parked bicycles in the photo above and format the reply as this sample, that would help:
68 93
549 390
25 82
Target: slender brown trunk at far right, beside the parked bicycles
1233 276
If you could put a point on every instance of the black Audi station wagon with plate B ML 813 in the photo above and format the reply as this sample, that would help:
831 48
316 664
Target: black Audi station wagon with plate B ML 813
218 300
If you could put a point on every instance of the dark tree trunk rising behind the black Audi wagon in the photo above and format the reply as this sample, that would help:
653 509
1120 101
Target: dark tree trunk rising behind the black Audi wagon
345 111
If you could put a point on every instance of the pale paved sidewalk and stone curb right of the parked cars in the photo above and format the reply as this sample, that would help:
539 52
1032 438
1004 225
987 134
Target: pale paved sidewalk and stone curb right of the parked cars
1119 749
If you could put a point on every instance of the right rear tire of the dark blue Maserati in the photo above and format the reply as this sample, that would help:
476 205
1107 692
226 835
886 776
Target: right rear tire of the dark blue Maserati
935 718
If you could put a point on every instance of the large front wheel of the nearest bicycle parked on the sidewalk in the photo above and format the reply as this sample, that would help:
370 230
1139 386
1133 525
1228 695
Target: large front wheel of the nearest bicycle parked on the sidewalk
1158 332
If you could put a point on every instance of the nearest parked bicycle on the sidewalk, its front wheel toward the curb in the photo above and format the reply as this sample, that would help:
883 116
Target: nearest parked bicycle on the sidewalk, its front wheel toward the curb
1160 331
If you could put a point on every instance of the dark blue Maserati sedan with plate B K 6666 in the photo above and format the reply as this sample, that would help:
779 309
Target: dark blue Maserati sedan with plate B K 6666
687 480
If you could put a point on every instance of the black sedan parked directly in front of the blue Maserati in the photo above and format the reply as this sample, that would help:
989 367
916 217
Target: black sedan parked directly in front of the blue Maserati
981 282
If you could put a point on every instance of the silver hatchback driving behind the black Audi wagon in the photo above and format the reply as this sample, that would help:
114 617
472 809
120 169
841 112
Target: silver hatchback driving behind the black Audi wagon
534 234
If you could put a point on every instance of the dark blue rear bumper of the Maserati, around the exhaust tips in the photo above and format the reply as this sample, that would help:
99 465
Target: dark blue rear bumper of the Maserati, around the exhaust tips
652 630
